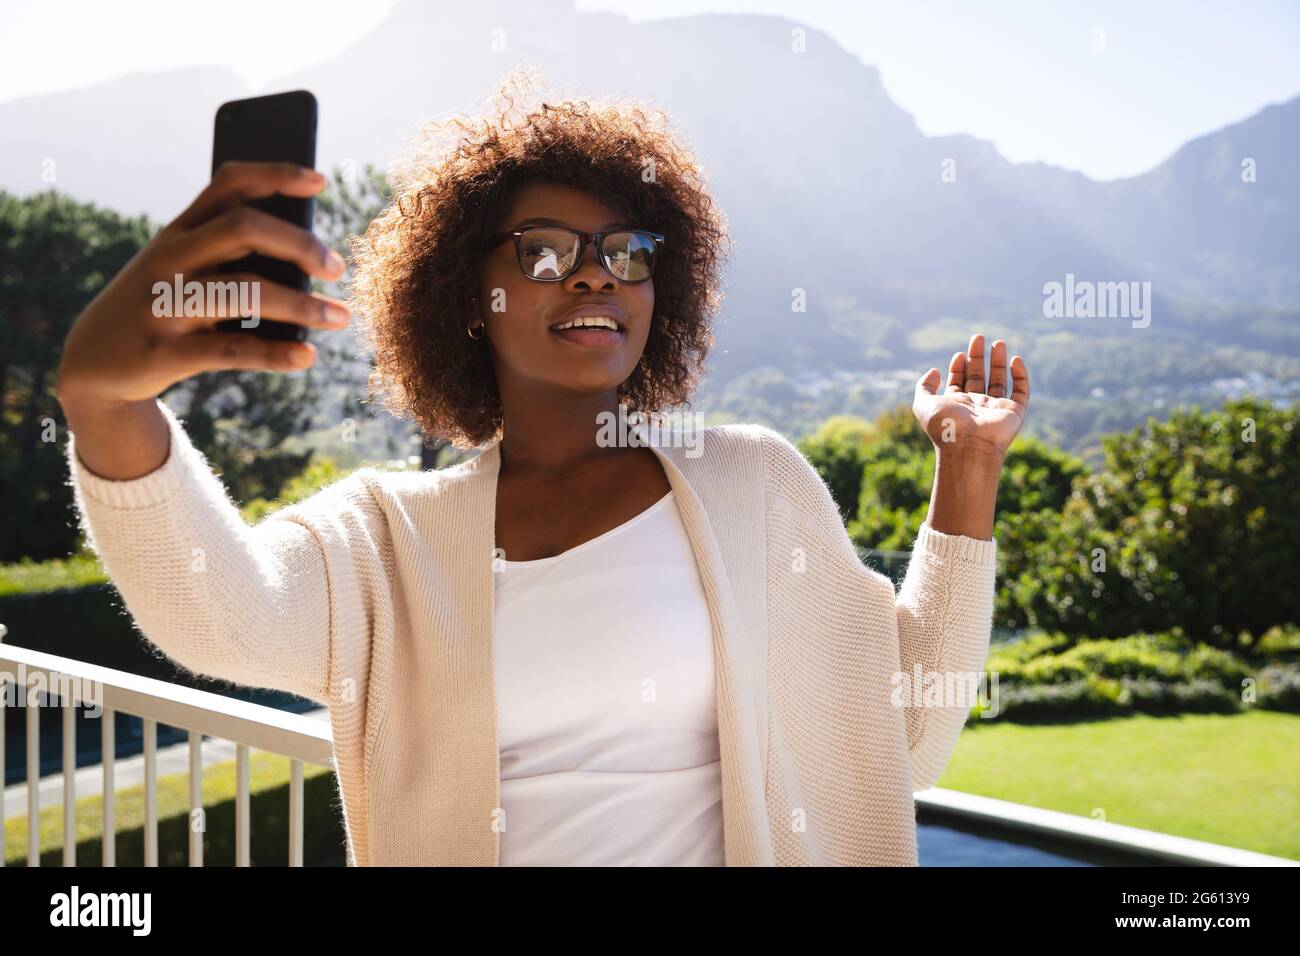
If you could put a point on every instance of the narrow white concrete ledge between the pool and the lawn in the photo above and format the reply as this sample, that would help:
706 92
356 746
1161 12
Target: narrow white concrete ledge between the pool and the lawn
1068 828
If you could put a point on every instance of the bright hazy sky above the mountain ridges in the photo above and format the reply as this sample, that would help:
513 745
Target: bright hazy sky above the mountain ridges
1022 73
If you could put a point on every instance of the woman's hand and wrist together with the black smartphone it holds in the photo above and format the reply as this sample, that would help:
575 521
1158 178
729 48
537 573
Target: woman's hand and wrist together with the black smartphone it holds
148 330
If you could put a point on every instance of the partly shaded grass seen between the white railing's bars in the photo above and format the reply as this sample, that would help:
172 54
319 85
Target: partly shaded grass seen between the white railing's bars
268 784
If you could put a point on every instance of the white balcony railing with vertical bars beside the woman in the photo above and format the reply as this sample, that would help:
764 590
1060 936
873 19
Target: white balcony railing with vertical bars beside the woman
250 726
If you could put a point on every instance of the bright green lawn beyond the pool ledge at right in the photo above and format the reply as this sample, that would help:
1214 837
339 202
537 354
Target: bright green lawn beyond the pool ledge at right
1232 780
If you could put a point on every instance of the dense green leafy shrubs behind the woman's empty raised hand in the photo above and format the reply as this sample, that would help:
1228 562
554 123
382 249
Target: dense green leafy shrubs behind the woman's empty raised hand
1190 524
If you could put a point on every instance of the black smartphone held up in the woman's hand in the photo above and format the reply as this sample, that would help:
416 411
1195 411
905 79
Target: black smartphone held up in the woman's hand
276 128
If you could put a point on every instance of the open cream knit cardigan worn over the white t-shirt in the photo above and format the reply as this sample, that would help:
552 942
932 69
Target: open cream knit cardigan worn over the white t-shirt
375 598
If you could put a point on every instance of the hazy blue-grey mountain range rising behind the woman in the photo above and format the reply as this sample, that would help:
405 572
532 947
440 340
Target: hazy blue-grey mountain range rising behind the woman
827 184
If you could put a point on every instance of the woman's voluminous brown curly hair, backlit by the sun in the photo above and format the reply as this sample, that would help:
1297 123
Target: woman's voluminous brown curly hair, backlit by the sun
418 269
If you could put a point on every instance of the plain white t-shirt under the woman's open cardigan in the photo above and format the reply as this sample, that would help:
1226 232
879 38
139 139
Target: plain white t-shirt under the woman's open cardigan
606 703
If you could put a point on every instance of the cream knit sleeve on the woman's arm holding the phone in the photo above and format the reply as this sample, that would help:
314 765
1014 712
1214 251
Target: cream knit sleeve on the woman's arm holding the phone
254 605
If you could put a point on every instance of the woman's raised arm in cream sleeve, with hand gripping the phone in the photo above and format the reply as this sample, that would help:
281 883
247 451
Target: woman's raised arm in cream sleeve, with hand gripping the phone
253 605
